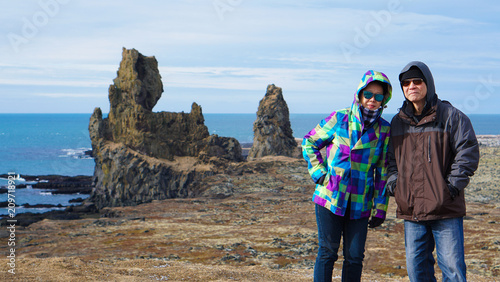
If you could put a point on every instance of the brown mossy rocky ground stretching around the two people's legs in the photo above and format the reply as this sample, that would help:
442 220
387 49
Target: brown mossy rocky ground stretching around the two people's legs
255 223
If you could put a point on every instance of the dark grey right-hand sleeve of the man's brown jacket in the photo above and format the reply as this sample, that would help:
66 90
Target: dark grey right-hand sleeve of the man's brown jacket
466 150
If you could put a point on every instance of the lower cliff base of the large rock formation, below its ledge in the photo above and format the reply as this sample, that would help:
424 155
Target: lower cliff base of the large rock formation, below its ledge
126 177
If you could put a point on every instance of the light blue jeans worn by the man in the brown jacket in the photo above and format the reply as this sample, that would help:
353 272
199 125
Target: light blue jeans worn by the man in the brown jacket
448 237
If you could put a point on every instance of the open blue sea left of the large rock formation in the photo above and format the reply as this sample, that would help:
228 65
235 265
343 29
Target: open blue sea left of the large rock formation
42 144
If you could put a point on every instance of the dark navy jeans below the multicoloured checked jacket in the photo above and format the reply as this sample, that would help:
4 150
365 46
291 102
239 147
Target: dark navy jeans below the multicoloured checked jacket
330 229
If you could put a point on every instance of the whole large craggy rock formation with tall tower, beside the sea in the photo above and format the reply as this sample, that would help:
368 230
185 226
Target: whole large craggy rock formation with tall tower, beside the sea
141 155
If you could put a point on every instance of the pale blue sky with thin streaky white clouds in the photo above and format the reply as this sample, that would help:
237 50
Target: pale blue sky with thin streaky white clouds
60 56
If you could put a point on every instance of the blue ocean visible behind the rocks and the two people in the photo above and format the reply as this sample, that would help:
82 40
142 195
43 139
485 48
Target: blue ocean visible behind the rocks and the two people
48 144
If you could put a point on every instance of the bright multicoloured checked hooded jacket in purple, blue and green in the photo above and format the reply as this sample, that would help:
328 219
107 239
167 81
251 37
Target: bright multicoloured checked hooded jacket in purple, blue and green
355 167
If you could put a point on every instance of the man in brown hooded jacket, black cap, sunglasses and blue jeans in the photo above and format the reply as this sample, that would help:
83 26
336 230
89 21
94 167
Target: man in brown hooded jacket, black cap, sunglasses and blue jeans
434 152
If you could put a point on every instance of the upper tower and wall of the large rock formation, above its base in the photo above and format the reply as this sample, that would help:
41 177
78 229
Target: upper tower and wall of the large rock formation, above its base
132 122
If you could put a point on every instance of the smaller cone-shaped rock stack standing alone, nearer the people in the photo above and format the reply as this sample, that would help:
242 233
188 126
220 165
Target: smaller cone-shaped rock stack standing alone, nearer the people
273 134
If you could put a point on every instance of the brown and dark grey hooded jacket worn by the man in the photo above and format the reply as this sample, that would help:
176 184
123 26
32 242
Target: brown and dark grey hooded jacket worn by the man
430 153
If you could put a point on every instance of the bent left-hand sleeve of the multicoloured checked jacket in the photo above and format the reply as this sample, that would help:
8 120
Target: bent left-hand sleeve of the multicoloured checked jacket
314 141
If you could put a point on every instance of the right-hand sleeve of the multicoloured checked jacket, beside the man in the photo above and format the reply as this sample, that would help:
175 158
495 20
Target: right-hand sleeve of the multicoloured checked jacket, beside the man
380 196
